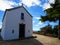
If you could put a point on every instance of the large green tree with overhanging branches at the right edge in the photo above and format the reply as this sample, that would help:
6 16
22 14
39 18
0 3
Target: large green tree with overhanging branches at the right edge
53 14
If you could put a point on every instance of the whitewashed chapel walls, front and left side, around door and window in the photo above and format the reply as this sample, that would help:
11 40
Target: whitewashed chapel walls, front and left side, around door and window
12 21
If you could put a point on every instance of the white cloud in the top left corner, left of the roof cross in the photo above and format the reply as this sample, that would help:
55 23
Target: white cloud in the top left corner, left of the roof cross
5 4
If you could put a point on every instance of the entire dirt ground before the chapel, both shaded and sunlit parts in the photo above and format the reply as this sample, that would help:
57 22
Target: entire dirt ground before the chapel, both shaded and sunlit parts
40 40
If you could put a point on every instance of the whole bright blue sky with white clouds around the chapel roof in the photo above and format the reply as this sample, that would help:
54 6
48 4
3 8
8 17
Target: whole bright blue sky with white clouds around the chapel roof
35 7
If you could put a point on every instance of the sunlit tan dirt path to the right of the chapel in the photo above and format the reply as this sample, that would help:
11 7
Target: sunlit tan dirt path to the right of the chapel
45 40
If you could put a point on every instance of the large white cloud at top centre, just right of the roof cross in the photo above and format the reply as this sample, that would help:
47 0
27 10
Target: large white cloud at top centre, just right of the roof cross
30 3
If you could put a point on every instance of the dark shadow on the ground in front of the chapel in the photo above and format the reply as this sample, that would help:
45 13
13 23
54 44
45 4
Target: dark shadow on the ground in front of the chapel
31 41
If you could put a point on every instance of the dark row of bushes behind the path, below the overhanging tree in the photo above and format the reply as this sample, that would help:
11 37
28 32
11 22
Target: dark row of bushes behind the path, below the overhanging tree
49 30
